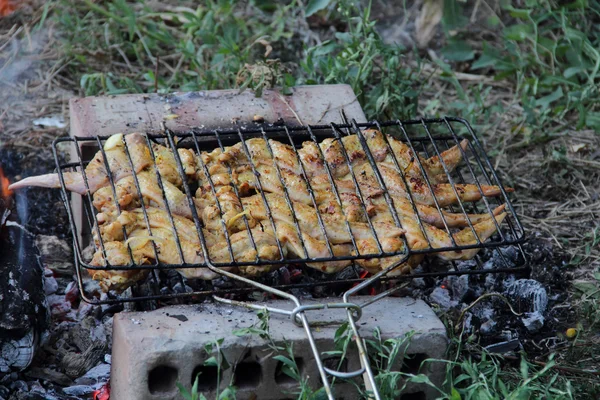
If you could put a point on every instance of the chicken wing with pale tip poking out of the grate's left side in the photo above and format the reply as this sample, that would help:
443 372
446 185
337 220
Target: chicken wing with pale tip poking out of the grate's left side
96 173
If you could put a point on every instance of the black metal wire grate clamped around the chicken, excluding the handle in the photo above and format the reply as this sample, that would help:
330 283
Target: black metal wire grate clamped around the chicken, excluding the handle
427 137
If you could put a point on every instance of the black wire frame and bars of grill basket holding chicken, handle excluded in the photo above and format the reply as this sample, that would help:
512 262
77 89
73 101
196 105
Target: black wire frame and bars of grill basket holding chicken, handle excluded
475 161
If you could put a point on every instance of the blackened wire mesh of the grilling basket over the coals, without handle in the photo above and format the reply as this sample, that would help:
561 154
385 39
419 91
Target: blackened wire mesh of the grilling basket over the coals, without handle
427 137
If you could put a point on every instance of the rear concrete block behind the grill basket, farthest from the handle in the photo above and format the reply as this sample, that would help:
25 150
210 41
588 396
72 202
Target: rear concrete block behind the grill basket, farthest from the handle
211 109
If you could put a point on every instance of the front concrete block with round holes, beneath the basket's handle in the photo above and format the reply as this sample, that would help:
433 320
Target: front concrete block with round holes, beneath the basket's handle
154 350
